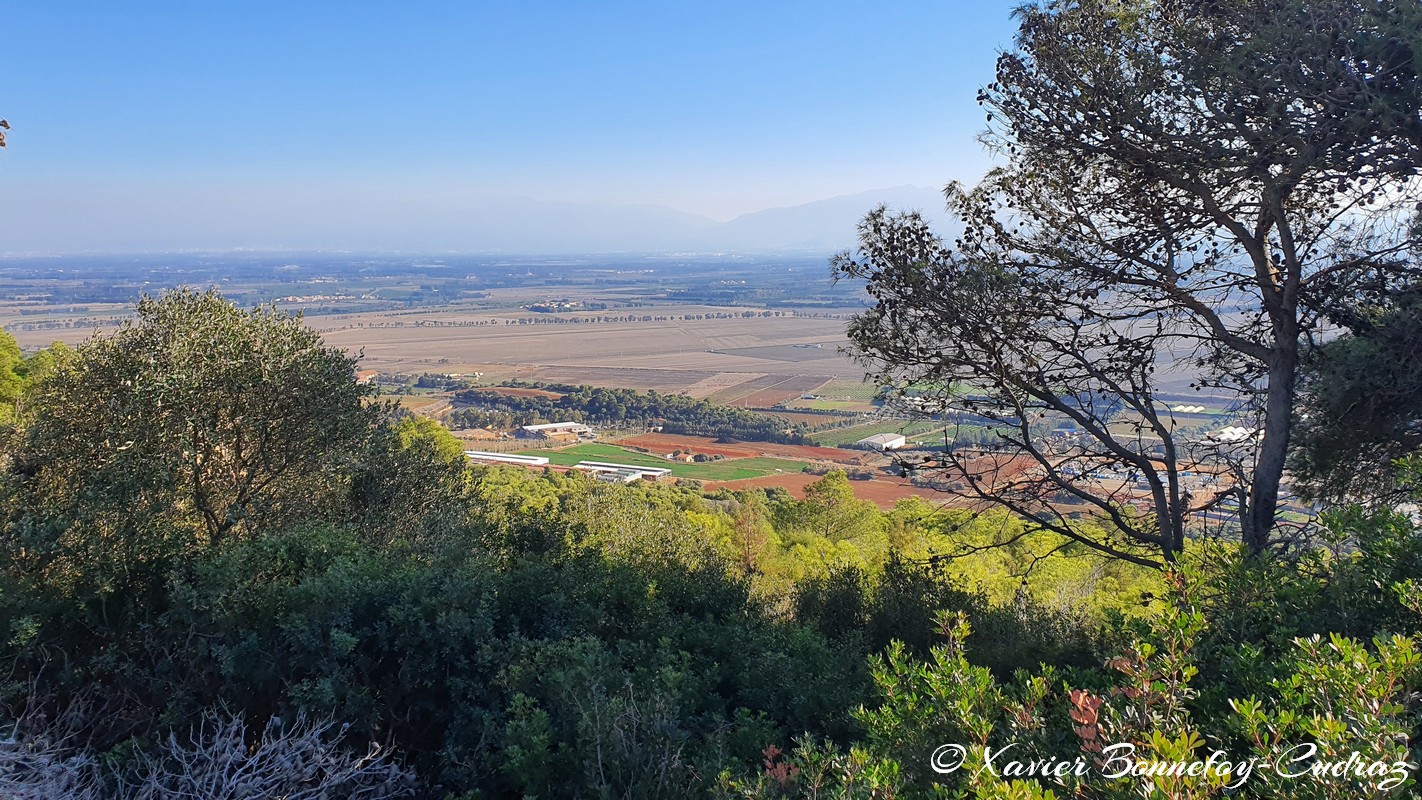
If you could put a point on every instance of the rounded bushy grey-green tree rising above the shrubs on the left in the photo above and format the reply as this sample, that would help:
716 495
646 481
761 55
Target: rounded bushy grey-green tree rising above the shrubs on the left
197 416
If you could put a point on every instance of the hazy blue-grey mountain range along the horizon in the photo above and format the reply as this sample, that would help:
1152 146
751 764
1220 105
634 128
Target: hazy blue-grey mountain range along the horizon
332 220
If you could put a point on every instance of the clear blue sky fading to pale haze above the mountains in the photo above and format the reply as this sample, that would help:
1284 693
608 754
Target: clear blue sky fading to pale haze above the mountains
245 123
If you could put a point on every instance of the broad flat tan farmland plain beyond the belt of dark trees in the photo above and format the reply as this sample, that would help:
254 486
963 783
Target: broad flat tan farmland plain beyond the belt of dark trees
629 336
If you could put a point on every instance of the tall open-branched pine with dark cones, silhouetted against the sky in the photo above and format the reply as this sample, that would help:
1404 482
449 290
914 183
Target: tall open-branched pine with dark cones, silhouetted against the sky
1188 191
